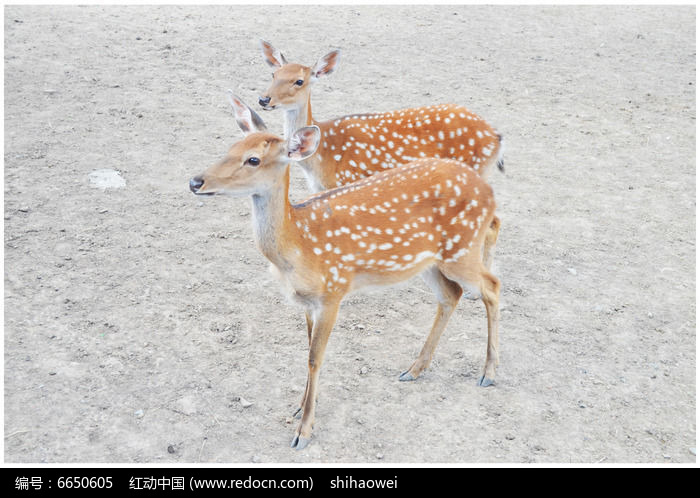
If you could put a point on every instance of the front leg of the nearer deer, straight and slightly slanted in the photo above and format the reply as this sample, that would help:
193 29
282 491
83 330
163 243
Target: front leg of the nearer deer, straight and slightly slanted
322 326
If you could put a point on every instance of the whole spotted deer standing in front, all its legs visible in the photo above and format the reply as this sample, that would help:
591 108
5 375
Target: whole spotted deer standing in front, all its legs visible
377 231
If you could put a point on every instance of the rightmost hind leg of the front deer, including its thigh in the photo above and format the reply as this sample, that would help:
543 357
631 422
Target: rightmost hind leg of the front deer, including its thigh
472 275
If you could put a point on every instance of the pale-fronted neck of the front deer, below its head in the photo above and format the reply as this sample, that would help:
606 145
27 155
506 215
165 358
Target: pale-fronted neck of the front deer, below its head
272 222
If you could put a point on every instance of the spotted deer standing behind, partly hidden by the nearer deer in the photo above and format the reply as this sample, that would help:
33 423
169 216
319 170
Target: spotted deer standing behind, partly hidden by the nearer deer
359 145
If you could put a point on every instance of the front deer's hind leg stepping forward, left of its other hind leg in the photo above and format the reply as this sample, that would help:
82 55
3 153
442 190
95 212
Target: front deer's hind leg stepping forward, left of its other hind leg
448 294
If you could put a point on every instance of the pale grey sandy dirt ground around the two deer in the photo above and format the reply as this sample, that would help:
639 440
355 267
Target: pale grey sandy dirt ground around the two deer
142 325
